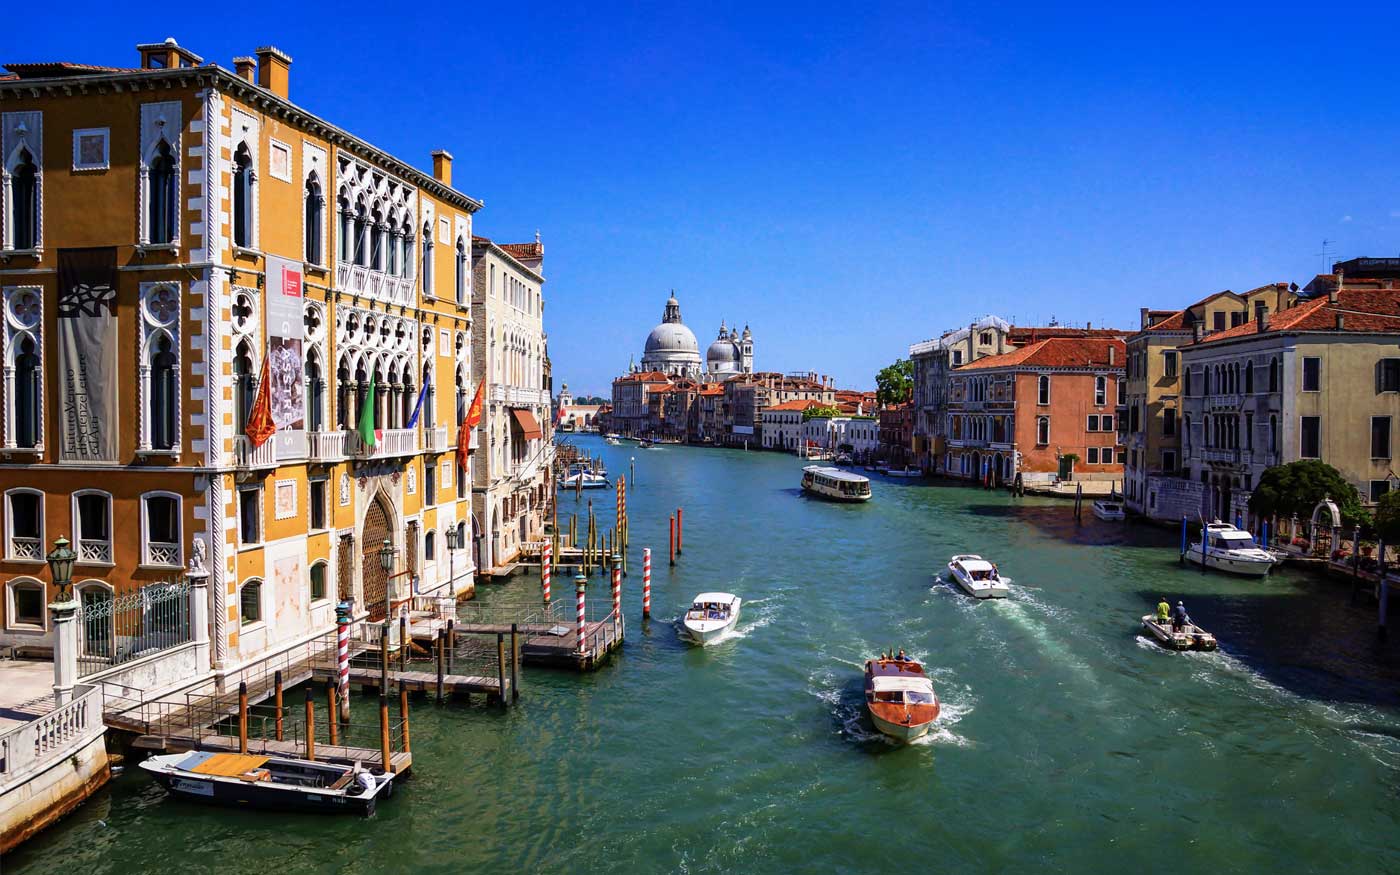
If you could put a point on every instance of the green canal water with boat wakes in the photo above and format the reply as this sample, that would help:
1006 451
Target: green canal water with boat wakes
1066 741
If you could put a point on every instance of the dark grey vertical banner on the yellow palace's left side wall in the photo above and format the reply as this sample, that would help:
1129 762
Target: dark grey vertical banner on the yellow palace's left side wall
87 355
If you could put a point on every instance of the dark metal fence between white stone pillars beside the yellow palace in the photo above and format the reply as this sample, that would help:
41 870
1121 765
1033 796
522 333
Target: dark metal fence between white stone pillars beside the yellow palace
125 628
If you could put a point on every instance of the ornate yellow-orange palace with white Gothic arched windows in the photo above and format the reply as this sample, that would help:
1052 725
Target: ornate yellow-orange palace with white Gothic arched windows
170 233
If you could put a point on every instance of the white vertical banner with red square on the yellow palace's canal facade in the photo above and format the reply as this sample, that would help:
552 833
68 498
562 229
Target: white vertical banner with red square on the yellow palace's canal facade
286 367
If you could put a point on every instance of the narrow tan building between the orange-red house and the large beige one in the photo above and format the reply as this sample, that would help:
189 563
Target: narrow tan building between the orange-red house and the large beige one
1151 418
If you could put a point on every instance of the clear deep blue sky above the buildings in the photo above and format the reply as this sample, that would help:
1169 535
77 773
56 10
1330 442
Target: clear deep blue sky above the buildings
855 177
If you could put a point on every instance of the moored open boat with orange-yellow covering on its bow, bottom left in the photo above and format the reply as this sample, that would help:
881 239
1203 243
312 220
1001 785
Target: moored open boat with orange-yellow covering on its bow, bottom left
271 782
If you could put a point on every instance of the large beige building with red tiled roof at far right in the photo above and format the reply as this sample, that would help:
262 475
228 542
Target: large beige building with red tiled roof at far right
1319 380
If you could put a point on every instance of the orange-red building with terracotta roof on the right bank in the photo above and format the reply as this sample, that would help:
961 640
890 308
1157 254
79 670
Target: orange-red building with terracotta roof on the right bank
1045 412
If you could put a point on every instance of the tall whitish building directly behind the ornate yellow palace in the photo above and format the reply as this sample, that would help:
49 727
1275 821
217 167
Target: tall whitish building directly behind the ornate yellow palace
512 477
